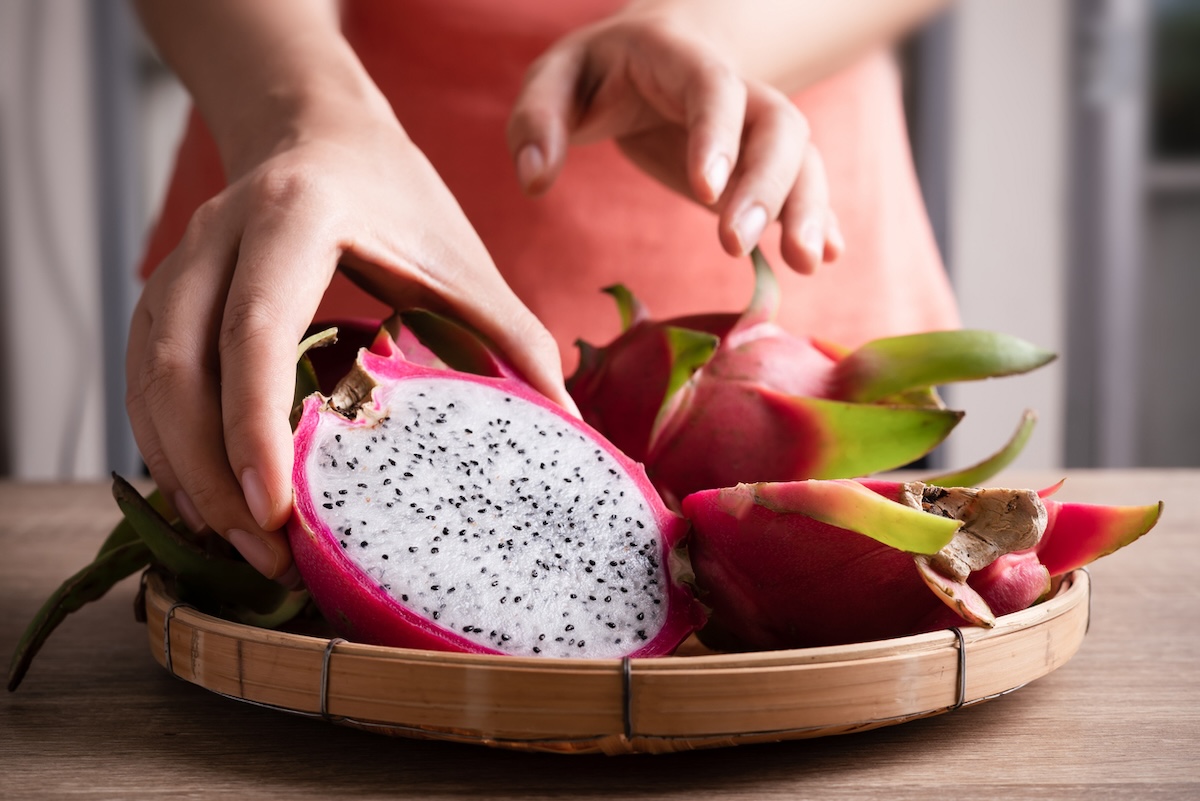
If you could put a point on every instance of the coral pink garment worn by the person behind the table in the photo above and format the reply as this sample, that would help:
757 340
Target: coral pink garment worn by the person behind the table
452 71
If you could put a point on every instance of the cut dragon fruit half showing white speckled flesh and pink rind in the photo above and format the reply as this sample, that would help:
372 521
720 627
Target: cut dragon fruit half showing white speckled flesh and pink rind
446 510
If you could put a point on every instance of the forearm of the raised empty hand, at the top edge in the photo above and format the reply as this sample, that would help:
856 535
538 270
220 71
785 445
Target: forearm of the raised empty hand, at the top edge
791 44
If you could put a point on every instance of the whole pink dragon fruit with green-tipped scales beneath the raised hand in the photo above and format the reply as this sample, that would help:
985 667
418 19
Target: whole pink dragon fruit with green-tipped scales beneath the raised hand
712 401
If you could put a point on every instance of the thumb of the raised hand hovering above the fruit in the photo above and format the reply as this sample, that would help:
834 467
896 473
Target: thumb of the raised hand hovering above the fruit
543 116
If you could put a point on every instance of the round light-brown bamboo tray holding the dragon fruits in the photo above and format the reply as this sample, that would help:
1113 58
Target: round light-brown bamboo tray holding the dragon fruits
652 706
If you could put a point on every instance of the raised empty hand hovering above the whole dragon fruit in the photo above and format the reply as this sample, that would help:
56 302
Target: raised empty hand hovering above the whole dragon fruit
680 111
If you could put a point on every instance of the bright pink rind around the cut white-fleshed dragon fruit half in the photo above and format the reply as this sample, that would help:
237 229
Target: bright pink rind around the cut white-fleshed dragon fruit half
361 611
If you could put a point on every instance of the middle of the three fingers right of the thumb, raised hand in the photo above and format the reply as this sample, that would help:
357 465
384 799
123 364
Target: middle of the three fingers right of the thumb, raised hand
775 142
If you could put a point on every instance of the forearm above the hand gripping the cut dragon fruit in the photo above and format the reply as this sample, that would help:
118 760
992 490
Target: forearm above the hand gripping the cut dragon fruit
262 73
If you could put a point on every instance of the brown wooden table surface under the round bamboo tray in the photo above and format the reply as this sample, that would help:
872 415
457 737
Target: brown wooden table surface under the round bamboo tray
98 719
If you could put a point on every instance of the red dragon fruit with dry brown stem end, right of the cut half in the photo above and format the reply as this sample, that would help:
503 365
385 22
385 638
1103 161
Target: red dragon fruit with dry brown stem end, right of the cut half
825 563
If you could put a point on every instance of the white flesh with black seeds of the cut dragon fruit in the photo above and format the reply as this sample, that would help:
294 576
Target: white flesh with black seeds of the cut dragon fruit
494 519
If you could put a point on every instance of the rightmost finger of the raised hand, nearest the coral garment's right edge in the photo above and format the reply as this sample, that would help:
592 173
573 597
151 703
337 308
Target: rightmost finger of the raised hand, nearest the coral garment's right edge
809 234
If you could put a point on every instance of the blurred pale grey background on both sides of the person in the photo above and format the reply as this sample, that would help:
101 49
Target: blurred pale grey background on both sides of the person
1058 144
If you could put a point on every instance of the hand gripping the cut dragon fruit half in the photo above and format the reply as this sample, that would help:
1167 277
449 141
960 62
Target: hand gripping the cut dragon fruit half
213 346
